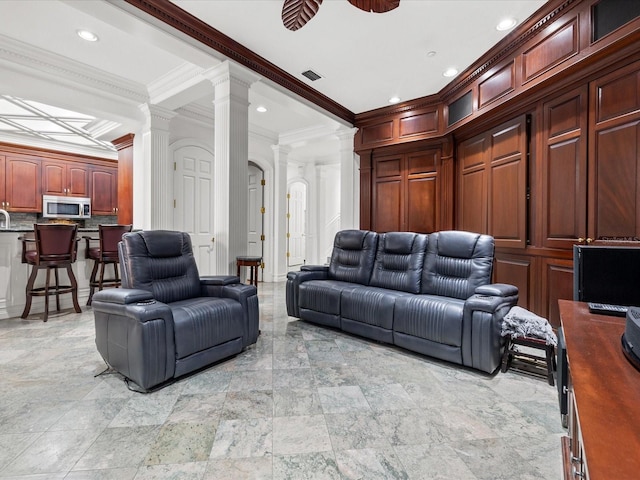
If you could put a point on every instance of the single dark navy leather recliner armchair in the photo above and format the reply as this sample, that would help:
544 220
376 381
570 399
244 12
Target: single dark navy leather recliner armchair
168 321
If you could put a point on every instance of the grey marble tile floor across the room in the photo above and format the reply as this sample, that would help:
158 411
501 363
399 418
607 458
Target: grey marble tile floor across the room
306 402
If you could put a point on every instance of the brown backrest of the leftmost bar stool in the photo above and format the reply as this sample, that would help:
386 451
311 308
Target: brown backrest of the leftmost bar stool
55 243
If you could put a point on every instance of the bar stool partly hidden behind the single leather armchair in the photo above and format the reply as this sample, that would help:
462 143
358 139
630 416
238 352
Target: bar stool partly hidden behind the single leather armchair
107 253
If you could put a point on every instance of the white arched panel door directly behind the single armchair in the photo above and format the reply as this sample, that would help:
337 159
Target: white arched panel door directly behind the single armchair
193 209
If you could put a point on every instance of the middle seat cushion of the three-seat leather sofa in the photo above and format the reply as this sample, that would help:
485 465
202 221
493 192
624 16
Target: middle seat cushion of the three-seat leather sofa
370 305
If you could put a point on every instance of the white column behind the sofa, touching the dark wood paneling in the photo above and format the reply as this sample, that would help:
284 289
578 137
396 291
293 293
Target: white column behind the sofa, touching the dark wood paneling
349 193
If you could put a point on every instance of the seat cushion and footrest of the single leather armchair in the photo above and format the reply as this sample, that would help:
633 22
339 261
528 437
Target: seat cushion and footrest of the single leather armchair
204 322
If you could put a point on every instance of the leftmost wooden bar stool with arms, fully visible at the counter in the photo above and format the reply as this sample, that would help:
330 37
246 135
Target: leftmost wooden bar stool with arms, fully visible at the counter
55 248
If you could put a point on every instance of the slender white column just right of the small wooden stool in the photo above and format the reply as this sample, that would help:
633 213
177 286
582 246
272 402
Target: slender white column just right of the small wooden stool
280 154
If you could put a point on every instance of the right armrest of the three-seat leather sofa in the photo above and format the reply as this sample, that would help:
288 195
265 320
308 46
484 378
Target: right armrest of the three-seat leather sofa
482 342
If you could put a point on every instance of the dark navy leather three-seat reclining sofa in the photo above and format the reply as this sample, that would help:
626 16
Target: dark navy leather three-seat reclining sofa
430 294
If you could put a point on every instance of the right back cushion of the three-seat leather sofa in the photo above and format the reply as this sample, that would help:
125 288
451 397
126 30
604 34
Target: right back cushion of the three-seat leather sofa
456 263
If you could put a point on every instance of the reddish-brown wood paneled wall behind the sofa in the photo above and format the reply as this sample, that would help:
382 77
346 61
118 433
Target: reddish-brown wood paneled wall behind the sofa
542 146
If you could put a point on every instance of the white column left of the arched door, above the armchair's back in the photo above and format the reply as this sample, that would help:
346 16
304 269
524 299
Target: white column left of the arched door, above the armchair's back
154 175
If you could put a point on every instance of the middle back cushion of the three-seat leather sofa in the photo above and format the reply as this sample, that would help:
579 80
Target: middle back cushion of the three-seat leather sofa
399 260
